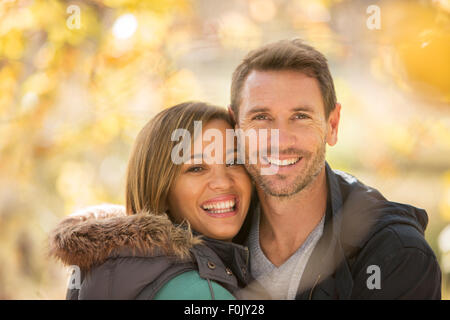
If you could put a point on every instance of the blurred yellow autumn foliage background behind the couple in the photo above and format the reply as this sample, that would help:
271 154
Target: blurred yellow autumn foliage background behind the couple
79 79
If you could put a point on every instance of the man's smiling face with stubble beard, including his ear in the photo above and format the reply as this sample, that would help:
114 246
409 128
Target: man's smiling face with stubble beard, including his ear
291 102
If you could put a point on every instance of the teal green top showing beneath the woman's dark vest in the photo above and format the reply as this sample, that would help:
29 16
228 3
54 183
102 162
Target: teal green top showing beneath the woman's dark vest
190 286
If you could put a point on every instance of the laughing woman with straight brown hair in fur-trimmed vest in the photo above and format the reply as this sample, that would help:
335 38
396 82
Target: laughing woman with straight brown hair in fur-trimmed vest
150 253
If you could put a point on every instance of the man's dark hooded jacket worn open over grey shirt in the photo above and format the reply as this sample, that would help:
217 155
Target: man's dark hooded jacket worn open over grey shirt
363 229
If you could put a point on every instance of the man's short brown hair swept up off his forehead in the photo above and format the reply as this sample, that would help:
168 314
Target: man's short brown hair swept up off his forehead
285 55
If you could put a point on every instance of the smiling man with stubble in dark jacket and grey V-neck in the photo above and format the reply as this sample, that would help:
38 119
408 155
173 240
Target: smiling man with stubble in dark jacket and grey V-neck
316 233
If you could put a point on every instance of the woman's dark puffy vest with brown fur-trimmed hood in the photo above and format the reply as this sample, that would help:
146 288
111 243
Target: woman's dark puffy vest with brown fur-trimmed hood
132 257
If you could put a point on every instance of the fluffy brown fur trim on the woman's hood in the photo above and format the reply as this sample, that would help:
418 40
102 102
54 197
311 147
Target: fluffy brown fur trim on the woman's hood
89 242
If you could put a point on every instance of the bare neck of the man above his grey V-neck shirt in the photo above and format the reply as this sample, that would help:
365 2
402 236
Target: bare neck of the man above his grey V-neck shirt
285 223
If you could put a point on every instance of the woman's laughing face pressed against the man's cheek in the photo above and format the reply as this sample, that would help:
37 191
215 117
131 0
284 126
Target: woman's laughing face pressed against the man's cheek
213 196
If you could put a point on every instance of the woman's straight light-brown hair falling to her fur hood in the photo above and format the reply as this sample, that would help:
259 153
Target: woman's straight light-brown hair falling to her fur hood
151 172
